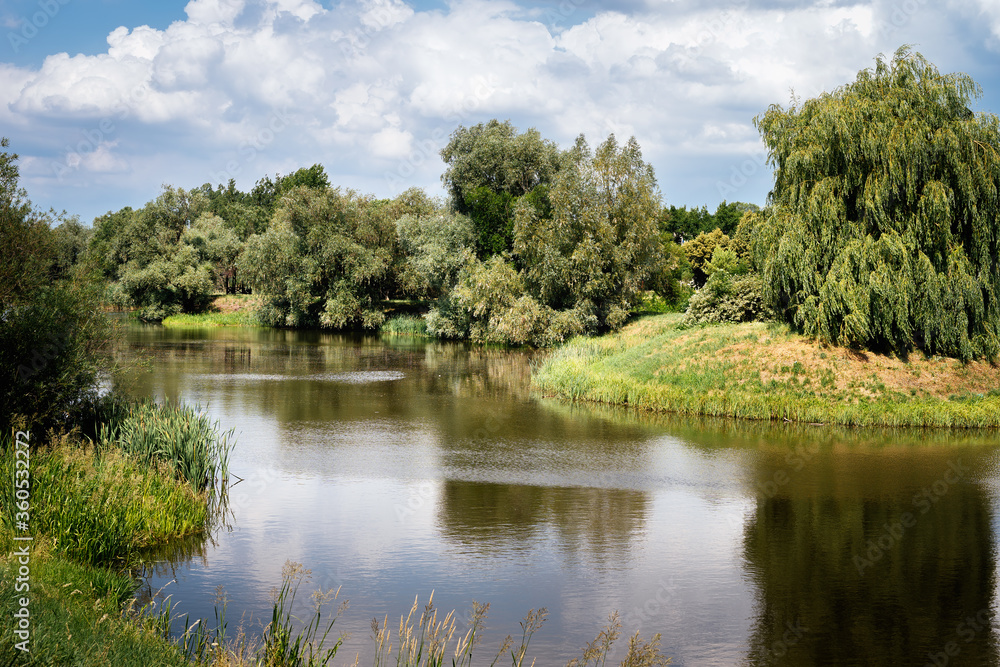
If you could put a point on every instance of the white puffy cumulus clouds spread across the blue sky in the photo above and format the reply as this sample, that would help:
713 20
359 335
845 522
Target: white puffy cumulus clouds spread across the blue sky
372 88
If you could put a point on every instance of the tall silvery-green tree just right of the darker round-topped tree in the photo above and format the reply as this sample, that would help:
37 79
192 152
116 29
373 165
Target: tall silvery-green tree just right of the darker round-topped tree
598 247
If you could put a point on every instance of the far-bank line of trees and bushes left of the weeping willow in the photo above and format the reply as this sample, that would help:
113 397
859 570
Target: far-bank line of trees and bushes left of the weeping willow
532 245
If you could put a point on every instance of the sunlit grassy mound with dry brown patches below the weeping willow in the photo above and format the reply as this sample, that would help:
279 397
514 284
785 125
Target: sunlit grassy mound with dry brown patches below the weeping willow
766 372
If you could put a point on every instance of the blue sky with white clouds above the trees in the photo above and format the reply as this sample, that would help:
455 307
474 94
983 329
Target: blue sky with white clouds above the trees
107 101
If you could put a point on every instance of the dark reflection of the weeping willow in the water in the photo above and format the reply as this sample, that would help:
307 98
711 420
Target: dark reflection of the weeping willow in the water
872 557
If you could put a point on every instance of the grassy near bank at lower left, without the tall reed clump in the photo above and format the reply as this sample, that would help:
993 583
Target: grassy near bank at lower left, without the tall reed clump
86 515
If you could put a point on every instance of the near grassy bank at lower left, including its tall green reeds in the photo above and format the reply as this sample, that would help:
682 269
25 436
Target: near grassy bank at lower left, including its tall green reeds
91 509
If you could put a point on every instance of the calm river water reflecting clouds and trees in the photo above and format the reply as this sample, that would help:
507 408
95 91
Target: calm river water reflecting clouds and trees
393 468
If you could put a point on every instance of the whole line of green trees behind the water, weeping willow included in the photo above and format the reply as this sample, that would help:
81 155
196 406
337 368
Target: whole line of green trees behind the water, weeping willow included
880 232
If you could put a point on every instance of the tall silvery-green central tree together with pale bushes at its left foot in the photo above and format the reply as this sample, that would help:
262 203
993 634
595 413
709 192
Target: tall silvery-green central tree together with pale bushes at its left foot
584 260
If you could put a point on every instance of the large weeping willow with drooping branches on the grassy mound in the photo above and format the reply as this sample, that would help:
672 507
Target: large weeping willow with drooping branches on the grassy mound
881 230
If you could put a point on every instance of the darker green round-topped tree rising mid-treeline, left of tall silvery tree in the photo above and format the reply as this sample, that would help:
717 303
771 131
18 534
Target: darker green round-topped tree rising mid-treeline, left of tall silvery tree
490 166
